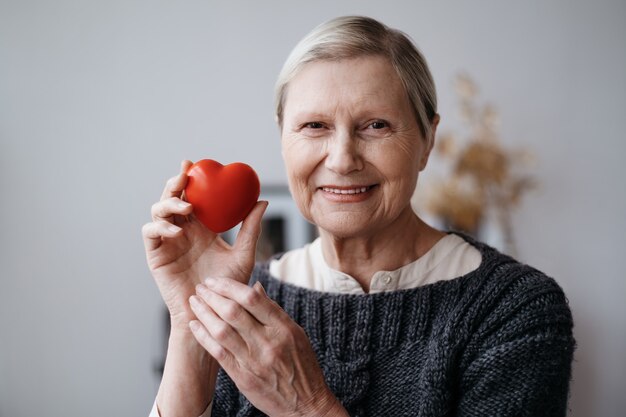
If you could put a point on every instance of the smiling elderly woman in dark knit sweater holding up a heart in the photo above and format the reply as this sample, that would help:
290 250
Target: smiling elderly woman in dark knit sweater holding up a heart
382 315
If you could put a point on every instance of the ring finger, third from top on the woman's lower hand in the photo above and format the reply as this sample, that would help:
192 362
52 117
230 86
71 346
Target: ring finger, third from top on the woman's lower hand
219 330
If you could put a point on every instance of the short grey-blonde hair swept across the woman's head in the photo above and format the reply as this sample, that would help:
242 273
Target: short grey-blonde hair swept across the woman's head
356 36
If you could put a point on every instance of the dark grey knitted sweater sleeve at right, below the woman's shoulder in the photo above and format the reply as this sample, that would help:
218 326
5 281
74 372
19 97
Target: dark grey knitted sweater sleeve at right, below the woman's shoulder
518 362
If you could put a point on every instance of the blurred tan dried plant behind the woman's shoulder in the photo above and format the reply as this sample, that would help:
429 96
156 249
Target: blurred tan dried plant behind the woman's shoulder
485 179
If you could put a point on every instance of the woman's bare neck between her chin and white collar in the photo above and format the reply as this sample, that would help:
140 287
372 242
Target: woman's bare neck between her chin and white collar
396 245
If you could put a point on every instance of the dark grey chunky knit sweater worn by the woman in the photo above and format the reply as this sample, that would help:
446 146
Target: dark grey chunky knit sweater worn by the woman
495 342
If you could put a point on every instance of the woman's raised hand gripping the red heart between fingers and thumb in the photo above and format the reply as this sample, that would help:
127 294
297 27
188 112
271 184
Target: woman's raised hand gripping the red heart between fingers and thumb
181 251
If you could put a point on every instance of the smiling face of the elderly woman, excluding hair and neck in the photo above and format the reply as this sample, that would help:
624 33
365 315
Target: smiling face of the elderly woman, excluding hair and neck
351 144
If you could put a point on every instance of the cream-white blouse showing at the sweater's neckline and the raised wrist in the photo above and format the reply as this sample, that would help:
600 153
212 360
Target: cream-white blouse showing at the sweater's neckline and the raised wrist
449 258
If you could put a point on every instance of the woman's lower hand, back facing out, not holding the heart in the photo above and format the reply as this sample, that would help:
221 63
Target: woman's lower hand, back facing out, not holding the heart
266 354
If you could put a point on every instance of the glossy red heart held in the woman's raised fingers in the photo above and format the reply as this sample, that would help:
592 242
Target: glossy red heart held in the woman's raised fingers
222 196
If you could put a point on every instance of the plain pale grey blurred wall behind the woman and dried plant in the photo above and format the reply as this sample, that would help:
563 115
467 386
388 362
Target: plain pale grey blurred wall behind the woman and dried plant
100 100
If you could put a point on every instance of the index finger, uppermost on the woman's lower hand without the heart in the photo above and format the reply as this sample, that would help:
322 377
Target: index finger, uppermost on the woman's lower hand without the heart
254 301
